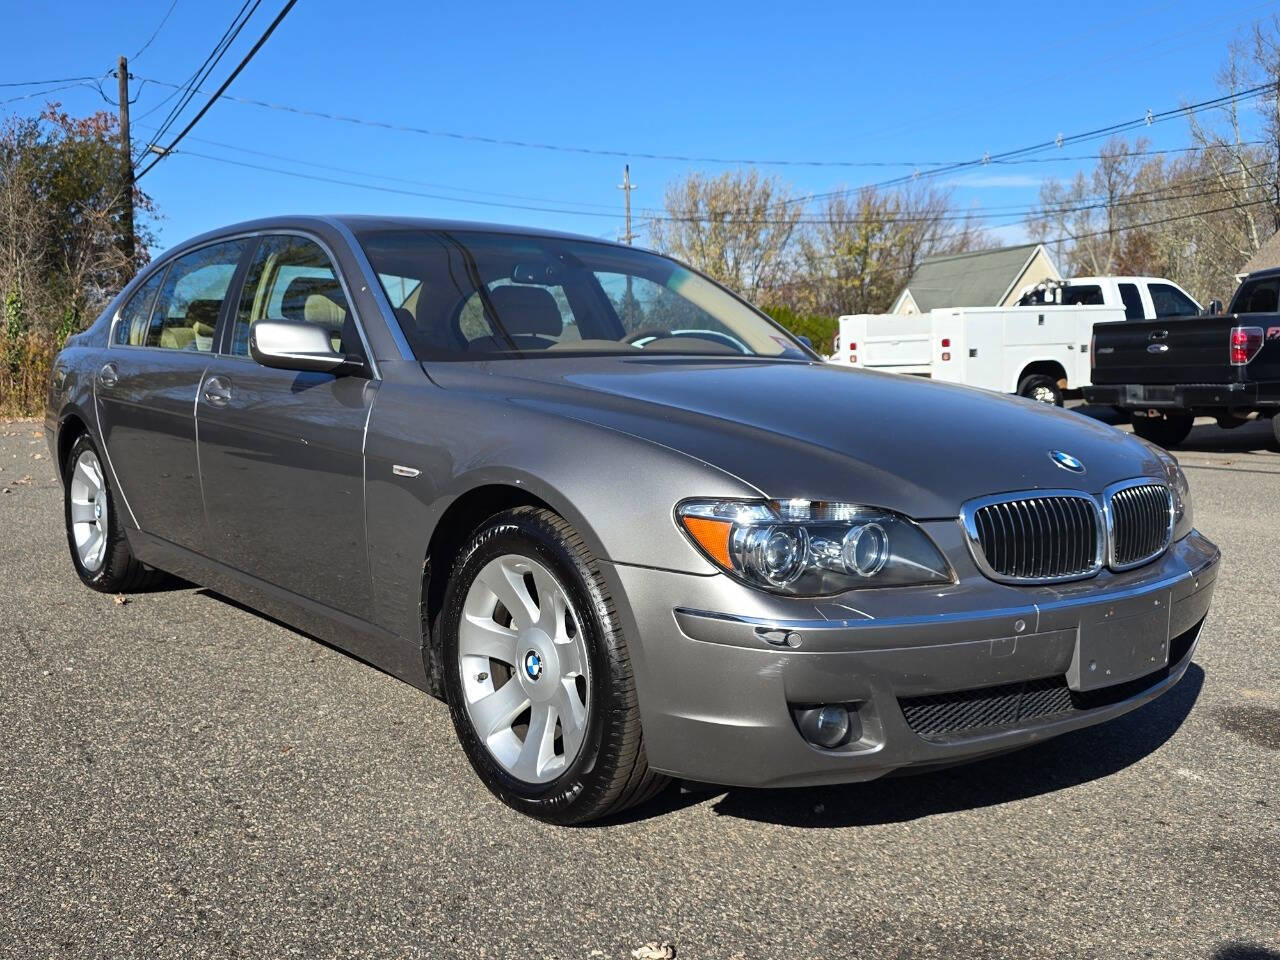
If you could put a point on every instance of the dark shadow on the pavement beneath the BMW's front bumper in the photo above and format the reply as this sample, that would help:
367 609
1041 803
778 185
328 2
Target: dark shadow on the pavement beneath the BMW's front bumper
1057 765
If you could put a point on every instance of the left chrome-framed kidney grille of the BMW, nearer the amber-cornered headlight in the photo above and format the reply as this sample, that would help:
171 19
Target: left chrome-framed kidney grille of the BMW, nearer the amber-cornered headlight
1036 537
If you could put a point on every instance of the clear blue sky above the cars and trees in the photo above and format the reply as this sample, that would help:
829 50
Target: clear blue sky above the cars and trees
831 83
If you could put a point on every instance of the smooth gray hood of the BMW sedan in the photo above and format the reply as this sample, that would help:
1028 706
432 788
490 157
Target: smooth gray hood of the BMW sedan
824 432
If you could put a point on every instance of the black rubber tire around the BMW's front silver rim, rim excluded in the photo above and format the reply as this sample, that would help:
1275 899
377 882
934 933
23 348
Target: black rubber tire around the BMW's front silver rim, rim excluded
610 772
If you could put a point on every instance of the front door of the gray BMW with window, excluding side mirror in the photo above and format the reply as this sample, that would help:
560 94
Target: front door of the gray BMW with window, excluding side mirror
282 452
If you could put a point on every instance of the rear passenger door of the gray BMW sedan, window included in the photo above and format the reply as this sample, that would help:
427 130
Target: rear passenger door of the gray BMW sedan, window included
147 392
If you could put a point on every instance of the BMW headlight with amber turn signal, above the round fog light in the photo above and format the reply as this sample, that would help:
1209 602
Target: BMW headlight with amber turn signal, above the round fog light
806 548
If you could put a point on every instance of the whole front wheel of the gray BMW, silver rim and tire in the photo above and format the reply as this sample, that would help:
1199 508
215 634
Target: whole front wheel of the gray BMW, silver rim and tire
538 675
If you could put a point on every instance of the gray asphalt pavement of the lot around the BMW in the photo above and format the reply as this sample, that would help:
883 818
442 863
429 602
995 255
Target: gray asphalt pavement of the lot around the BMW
181 778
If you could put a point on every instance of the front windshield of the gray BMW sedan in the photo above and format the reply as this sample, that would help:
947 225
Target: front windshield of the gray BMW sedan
478 296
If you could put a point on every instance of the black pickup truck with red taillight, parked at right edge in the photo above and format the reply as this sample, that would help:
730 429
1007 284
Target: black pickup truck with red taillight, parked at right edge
1167 373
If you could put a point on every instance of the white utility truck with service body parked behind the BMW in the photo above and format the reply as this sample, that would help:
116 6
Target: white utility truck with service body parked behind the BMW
1039 349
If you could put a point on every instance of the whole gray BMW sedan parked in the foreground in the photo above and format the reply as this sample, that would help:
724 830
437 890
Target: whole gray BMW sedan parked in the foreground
628 527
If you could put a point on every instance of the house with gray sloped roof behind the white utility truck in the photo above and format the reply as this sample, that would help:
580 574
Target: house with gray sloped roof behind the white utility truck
984 278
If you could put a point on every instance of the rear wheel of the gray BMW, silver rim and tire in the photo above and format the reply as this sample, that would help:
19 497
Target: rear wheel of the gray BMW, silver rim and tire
95 533
